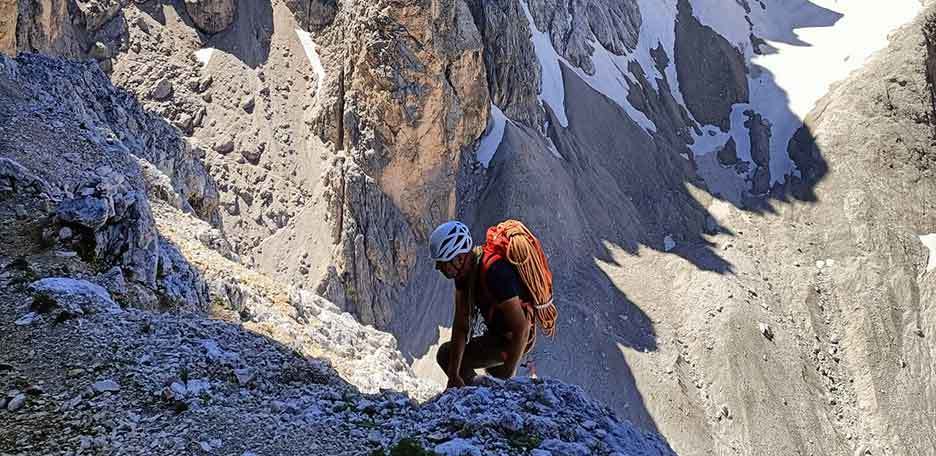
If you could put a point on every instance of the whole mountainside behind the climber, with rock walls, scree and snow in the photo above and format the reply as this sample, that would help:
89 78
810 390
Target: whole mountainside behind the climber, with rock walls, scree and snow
734 195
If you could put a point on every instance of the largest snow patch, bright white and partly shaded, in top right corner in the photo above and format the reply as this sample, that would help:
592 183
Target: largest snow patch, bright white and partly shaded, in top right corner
832 35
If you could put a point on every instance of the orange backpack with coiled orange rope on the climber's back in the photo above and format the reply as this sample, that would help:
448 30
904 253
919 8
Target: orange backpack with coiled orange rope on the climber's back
513 241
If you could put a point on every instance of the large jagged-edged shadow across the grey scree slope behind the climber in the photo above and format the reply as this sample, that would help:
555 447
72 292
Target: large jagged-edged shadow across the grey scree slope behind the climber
613 186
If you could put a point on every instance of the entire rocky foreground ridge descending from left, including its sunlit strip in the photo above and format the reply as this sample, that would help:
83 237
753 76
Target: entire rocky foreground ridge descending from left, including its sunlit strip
108 280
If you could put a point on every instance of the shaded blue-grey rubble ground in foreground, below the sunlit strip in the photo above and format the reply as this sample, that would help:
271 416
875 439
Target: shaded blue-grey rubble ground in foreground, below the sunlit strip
81 374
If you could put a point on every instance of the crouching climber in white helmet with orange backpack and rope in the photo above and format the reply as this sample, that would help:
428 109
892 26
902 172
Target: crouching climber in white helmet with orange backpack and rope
495 281
